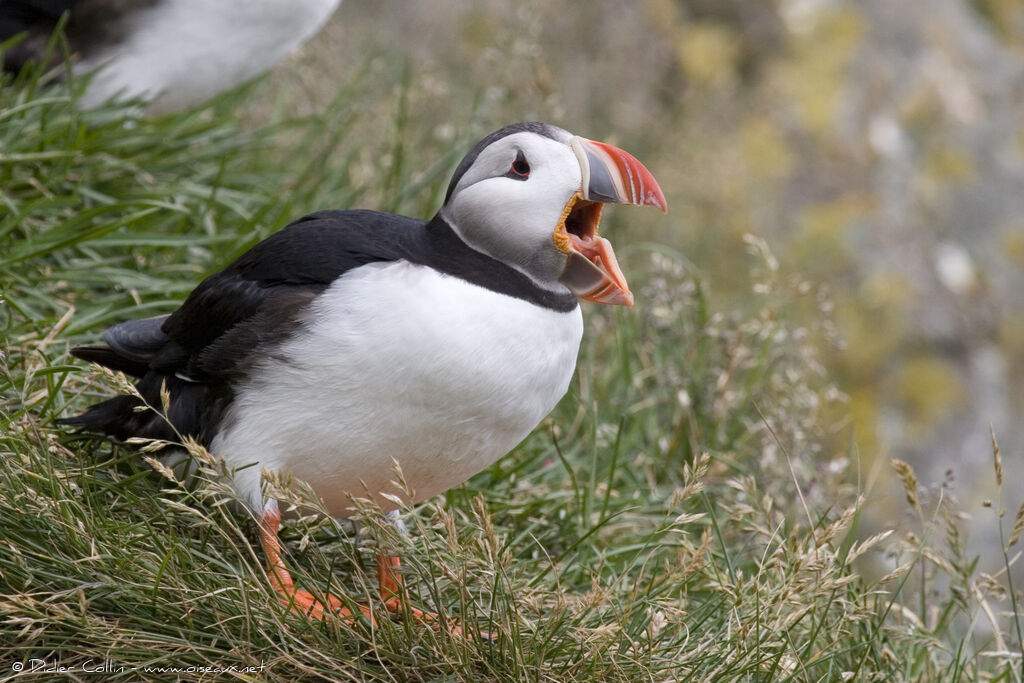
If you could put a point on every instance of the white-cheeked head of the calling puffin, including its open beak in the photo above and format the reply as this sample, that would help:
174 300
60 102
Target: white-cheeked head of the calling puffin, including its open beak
531 195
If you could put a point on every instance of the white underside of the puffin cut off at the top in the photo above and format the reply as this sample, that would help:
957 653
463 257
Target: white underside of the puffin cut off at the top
190 51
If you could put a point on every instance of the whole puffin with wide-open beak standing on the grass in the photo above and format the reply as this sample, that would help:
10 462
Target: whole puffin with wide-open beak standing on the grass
353 339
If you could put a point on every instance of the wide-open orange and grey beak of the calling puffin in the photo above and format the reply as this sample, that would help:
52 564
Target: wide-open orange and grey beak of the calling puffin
610 176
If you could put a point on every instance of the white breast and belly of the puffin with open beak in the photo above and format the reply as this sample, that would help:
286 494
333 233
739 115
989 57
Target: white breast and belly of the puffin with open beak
400 362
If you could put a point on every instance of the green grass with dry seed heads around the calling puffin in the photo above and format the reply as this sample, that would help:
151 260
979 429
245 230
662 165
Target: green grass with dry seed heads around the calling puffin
680 517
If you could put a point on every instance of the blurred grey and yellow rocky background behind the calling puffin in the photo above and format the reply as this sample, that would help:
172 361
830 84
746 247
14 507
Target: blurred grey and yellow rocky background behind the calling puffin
876 147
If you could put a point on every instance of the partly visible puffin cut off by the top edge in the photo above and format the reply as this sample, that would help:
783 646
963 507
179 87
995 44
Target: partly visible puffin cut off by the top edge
174 54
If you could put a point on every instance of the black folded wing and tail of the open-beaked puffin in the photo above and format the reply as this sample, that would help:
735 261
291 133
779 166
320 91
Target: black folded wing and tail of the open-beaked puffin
200 352
